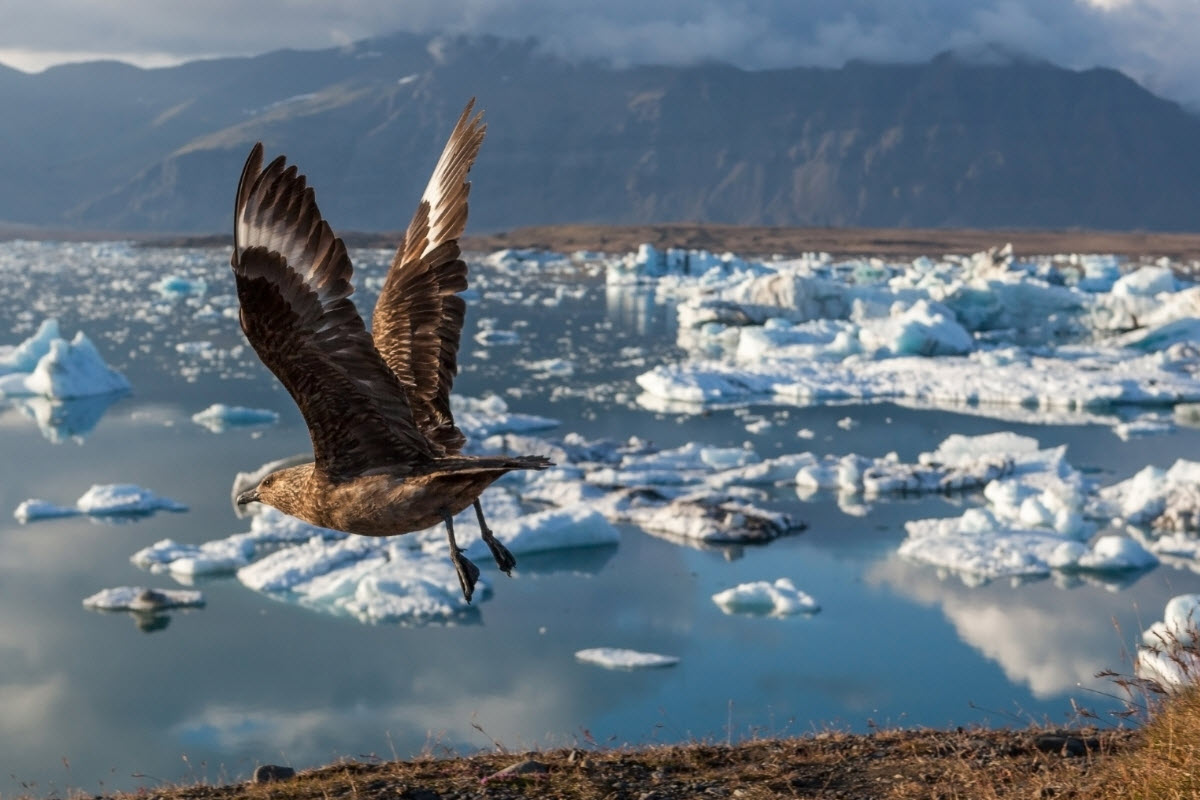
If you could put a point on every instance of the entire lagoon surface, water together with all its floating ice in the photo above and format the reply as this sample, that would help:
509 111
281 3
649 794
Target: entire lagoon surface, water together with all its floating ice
836 491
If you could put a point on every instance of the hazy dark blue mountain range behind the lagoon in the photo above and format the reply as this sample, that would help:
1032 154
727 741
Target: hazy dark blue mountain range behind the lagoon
956 142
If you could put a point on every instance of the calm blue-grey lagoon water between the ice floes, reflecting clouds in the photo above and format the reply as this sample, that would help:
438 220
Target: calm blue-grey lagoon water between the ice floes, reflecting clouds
111 701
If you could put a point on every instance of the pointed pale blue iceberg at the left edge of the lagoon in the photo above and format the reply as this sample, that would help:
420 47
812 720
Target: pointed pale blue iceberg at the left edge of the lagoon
50 366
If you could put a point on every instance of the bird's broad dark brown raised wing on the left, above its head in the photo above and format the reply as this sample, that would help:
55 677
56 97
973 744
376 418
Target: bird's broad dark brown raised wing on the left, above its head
295 285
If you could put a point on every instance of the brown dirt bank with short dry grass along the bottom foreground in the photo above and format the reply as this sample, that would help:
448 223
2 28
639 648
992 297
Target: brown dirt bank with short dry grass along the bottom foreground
885 766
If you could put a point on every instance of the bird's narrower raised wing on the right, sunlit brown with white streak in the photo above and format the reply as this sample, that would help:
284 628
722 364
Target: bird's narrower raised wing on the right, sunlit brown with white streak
418 321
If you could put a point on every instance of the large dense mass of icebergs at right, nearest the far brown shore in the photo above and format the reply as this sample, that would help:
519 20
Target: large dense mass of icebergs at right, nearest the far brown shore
992 334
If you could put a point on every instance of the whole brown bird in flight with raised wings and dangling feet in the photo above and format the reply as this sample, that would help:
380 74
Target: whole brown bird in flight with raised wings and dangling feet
387 452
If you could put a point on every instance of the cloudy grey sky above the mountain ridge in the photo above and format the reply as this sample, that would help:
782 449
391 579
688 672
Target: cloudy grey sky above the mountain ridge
1154 41
